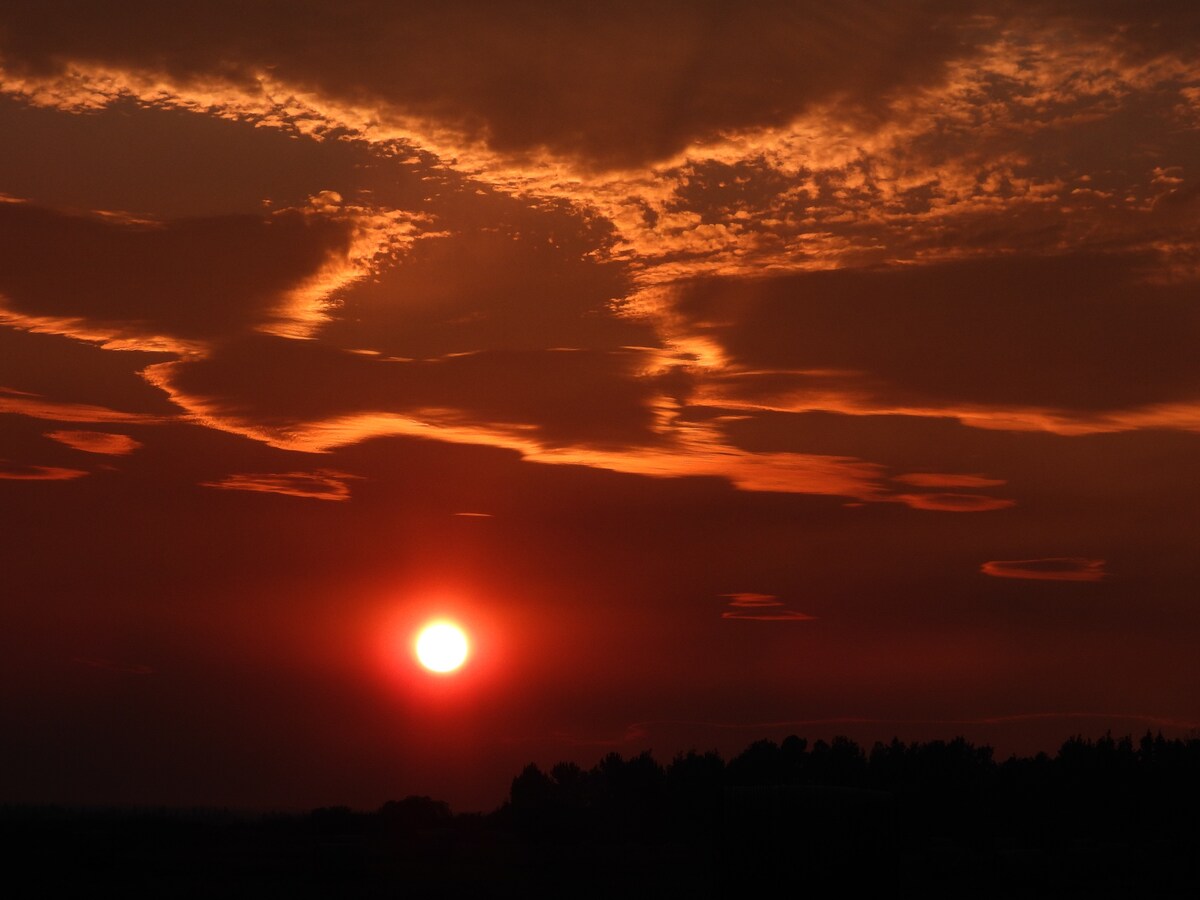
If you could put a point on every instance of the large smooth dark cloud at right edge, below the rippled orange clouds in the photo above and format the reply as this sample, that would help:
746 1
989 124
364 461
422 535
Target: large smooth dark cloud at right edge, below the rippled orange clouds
1059 335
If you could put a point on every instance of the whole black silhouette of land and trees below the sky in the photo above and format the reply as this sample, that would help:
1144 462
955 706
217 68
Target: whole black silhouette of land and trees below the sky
1101 818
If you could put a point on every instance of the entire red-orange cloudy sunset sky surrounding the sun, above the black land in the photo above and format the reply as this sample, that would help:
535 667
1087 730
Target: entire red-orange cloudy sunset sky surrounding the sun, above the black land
727 371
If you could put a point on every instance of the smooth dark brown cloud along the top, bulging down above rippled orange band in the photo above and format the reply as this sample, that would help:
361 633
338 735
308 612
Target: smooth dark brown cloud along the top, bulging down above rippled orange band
614 86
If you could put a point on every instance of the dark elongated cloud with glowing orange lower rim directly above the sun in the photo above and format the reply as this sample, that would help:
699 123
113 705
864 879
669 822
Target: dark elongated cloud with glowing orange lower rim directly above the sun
561 407
